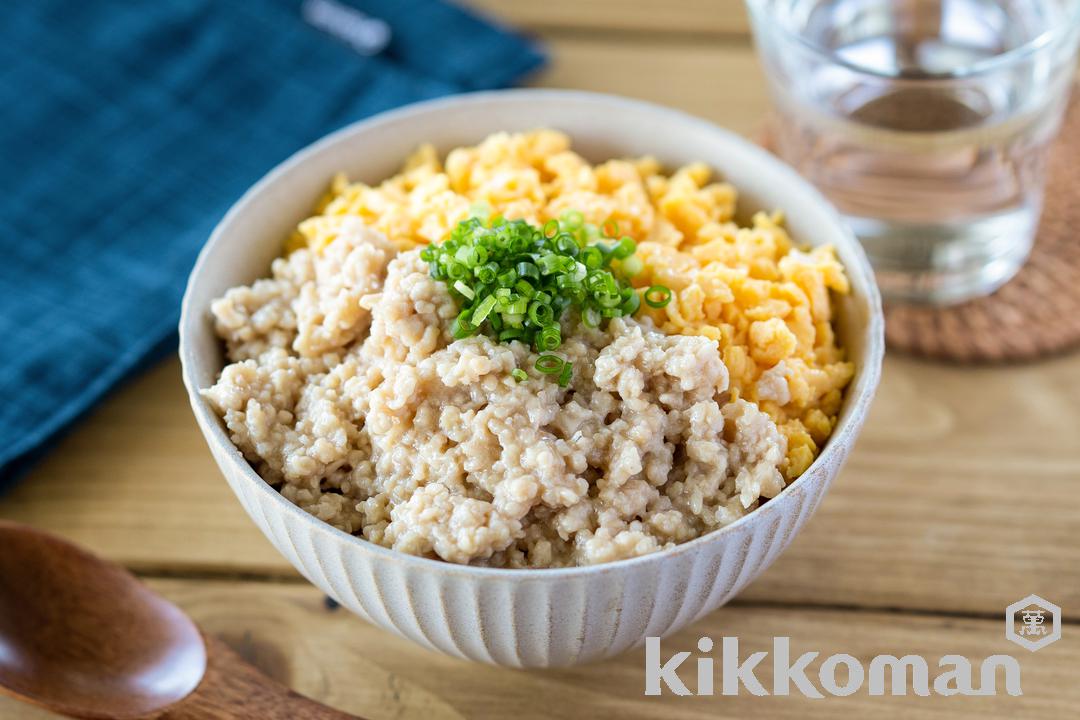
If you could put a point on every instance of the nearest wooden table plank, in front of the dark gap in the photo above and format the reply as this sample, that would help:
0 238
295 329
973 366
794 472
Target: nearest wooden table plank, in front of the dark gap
358 669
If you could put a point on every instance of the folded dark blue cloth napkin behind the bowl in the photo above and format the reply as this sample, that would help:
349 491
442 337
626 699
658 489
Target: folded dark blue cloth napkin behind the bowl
130 128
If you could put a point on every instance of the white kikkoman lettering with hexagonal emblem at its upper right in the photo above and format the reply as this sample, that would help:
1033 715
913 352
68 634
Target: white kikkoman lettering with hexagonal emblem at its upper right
1033 623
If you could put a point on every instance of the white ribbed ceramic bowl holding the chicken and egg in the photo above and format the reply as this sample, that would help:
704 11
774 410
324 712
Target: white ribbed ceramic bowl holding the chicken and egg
525 618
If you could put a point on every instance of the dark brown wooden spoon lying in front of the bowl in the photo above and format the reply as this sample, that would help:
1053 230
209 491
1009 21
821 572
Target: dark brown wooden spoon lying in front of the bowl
83 637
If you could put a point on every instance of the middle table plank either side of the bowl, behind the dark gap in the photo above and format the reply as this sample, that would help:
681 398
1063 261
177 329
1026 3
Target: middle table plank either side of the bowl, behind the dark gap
963 488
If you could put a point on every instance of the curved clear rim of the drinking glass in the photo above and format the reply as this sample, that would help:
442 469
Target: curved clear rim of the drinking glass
1043 42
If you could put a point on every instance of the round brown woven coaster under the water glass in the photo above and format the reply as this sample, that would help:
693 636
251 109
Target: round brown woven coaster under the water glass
1035 315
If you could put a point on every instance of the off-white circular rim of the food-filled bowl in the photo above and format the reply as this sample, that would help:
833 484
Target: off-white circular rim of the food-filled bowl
860 393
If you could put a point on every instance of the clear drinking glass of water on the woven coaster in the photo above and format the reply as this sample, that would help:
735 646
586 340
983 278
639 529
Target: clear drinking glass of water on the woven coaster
927 124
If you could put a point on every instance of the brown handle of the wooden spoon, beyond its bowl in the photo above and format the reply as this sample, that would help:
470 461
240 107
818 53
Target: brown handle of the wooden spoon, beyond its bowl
235 690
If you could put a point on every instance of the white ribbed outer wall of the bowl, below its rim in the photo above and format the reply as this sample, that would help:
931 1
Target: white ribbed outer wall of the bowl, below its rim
533 619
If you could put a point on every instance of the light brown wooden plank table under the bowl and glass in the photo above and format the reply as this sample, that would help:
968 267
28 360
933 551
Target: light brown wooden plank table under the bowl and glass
963 496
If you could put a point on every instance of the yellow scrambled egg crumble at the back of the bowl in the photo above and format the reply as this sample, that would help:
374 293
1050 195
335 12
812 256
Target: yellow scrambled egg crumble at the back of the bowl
766 302
